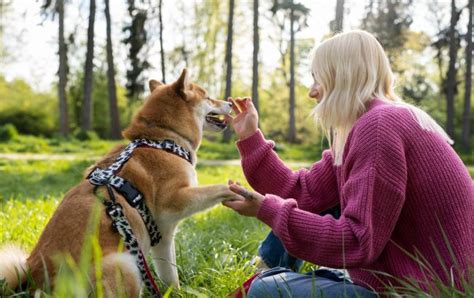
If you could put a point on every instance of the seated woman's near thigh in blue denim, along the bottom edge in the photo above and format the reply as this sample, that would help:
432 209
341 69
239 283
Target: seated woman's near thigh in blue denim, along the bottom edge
281 282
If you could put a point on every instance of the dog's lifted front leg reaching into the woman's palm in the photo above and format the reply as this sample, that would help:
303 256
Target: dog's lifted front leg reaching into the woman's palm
199 198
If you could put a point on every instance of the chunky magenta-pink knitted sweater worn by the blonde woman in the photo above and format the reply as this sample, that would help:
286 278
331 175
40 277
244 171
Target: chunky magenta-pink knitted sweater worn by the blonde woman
407 202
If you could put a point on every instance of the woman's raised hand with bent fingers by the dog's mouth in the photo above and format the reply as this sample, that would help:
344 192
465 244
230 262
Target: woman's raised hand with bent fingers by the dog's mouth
245 122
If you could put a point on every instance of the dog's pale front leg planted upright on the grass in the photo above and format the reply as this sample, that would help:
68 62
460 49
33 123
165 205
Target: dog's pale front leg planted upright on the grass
164 258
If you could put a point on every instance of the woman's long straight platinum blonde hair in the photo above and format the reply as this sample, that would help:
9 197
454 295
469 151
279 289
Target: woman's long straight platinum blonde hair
352 69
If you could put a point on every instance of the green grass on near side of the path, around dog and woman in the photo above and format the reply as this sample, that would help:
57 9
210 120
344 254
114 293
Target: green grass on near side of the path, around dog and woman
214 248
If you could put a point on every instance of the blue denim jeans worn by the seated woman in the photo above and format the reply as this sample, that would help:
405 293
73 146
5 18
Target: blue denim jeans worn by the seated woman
284 281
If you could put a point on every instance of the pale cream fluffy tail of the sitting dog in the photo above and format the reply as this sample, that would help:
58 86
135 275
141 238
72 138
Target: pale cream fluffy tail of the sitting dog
12 266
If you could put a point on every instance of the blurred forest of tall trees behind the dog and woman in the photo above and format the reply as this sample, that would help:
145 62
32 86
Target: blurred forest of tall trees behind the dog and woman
260 49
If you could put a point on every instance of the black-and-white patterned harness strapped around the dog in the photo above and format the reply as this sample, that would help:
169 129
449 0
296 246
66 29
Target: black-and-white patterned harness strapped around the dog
106 177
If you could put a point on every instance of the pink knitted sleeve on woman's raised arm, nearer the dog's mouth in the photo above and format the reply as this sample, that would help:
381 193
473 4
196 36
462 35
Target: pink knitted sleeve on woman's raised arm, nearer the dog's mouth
315 189
